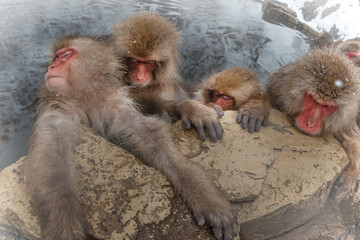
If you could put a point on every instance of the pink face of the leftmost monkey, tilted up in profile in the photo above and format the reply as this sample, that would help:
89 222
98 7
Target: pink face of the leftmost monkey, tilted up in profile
57 74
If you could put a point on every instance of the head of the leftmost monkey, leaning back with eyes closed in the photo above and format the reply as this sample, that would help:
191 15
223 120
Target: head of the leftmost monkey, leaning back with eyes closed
68 74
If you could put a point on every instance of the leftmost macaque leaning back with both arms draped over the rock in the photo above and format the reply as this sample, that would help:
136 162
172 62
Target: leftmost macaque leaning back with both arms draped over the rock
82 86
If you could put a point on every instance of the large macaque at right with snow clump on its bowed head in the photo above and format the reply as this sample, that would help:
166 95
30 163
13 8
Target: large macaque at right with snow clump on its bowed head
320 93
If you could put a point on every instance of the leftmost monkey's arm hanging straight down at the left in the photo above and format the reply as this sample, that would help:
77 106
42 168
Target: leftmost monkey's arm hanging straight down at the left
50 175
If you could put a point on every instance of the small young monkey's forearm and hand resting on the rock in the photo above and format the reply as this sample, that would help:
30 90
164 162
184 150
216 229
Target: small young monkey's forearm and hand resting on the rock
254 112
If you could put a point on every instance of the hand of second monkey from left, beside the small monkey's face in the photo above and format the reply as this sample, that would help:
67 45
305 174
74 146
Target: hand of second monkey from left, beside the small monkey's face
195 113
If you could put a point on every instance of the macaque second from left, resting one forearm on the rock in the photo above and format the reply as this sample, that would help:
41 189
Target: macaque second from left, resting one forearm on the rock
148 45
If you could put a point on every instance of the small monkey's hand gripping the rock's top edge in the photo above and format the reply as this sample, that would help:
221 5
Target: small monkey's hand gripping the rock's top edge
251 117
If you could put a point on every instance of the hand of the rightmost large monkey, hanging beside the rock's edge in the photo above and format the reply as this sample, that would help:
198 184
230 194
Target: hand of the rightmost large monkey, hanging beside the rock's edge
344 184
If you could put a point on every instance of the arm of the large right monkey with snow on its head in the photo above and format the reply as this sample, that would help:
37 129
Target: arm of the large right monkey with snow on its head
351 144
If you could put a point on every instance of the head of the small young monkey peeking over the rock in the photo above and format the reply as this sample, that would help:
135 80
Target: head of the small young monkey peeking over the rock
230 88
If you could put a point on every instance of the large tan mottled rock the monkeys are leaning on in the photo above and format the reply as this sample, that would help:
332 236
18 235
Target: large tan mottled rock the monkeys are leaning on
278 179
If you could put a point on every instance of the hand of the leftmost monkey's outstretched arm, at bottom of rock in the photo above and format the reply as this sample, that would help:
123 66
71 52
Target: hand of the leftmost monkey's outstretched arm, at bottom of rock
222 221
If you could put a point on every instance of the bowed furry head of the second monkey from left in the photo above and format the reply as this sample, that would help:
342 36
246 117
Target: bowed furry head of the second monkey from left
148 44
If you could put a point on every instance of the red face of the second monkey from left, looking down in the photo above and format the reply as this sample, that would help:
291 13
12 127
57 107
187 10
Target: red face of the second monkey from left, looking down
141 70
